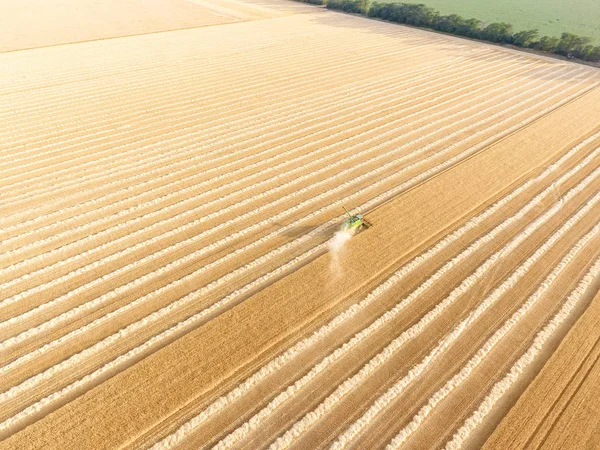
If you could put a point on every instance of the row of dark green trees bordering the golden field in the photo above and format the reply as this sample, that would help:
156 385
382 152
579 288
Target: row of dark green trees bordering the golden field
569 44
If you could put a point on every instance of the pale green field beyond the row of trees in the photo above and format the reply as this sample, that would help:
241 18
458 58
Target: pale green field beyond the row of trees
551 17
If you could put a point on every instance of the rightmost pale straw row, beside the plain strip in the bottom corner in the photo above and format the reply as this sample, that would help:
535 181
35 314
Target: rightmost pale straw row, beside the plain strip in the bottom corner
500 388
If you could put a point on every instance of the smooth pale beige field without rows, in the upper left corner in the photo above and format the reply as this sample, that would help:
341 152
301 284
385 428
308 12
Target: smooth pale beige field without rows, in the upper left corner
38 24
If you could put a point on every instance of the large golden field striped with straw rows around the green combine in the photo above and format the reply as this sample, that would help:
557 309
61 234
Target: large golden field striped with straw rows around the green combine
167 203
